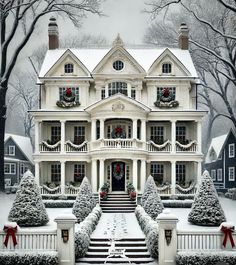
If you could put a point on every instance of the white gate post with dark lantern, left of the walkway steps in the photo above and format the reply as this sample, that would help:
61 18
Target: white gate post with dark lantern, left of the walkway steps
66 239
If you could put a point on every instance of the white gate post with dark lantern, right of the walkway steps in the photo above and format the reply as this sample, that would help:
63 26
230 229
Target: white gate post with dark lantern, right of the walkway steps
167 238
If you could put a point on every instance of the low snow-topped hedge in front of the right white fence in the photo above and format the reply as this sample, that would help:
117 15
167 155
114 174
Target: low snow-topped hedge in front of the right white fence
206 258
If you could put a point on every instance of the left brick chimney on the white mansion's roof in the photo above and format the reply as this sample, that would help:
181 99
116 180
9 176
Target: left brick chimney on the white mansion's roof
53 35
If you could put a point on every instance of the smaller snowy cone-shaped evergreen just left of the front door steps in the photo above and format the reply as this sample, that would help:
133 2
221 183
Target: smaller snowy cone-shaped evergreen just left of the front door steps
84 202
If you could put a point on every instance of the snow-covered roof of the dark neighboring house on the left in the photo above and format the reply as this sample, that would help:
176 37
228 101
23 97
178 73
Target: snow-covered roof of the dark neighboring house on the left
23 143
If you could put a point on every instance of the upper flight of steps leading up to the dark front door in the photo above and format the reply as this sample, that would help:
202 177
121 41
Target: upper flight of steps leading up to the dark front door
118 203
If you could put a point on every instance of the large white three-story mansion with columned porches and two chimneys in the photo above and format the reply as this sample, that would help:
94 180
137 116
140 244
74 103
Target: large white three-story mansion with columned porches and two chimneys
118 114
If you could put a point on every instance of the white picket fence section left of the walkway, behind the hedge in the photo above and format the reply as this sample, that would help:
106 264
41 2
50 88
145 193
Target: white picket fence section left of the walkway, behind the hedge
31 239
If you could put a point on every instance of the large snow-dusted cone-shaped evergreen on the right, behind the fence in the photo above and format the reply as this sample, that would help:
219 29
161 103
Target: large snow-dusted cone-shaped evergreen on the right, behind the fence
206 209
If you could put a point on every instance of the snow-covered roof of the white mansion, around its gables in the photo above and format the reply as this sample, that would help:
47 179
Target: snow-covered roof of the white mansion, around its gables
144 56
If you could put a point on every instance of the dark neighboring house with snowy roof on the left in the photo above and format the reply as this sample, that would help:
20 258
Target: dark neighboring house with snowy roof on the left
17 159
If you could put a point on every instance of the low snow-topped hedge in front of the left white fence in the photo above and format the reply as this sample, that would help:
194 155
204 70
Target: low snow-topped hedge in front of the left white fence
29 258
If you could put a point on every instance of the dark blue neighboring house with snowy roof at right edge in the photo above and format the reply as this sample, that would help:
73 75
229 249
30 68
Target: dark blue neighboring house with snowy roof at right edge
221 161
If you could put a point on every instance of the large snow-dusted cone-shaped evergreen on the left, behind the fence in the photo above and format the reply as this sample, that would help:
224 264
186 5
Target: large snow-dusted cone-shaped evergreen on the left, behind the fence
28 208
